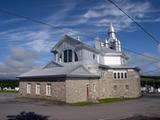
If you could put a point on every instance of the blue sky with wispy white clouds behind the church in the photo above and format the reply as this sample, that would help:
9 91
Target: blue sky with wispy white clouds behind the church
25 44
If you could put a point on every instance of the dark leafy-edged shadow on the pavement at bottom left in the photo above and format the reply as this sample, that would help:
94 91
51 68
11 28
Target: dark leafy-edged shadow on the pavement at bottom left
27 116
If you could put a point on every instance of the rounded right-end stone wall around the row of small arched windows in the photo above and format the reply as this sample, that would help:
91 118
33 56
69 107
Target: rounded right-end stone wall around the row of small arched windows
129 87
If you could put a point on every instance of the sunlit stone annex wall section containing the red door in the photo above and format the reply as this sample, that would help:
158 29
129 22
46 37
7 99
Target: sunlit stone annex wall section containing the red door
76 90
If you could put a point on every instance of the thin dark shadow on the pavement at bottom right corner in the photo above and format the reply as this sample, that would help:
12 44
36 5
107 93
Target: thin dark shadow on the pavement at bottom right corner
140 117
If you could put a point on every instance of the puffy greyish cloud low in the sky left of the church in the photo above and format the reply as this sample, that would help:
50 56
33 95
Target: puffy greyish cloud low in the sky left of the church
20 60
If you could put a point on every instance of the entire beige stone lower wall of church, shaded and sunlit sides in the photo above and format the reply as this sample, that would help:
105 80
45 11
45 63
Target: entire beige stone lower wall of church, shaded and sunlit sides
80 89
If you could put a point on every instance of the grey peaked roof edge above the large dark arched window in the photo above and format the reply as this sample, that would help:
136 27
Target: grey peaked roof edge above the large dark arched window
77 43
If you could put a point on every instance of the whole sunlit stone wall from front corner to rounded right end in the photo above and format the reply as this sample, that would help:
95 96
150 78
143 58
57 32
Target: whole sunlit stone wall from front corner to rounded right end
76 90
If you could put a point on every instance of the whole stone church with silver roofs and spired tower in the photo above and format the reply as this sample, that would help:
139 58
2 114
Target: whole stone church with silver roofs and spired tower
80 72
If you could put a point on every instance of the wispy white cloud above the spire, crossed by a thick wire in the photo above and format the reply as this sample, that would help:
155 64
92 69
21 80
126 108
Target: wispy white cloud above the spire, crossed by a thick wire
107 12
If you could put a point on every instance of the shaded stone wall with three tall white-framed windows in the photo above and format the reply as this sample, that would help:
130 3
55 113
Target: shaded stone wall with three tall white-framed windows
58 91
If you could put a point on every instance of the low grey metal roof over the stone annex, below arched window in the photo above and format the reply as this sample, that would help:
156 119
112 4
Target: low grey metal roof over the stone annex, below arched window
67 70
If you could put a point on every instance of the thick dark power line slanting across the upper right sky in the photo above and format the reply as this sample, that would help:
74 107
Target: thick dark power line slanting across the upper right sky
140 26
